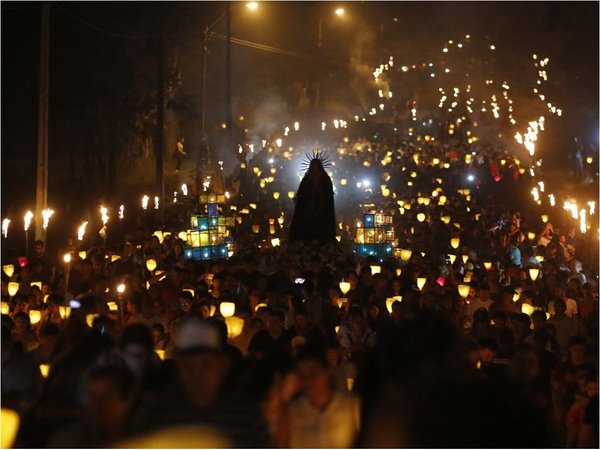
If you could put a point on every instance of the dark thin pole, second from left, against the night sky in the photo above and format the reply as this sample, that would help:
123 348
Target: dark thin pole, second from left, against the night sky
160 117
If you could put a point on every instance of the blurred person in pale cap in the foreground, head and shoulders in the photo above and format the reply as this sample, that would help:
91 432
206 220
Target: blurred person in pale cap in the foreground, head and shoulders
194 391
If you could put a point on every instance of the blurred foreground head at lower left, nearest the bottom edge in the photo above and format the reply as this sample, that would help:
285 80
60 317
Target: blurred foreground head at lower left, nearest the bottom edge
111 393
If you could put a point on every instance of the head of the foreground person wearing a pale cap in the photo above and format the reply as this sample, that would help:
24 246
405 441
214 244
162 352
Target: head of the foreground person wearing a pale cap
198 354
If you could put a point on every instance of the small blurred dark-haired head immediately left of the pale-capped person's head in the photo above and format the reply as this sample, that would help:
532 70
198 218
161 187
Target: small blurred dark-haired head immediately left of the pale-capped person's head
136 347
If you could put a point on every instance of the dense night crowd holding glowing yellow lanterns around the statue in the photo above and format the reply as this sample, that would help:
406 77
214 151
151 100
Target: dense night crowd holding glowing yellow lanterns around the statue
126 354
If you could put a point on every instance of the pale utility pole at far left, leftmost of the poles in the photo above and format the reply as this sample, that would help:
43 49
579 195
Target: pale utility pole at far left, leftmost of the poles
41 193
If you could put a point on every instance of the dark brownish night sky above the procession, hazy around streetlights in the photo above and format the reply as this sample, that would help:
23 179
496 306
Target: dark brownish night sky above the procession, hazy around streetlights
103 71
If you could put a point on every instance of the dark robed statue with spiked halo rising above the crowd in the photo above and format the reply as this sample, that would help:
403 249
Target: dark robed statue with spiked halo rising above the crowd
314 214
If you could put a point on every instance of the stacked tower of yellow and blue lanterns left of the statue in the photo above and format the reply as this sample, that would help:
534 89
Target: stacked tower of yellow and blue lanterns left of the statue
209 236
